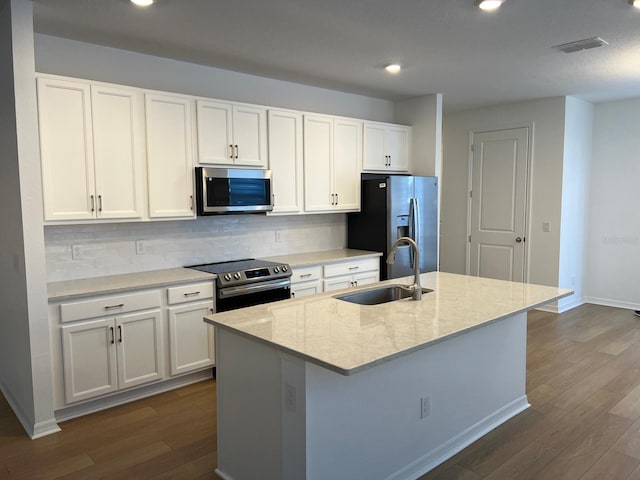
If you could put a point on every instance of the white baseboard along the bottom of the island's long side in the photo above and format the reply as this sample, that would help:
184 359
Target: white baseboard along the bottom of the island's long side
458 443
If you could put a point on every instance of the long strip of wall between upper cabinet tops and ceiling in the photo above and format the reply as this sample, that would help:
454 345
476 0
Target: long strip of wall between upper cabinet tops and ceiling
94 62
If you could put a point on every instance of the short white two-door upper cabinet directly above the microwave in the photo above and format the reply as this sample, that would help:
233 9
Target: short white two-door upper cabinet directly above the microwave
231 134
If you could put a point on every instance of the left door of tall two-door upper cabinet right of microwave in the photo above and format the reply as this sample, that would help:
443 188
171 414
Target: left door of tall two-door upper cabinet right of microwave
318 155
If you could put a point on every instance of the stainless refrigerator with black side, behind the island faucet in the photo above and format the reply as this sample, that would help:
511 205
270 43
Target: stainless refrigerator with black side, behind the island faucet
394 206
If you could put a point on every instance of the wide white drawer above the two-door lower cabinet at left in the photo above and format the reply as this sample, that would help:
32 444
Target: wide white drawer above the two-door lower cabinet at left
113 304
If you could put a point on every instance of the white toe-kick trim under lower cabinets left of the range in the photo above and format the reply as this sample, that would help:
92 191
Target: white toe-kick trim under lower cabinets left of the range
138 393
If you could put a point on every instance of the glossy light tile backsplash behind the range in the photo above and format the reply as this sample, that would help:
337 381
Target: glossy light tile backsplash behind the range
82 251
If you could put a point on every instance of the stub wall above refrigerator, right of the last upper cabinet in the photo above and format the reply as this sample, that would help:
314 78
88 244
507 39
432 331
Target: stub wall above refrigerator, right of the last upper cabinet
425 114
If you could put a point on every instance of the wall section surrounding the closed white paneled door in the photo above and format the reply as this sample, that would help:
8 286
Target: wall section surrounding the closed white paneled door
546 116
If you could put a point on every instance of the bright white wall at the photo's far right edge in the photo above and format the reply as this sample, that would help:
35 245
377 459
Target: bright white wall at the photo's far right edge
613 252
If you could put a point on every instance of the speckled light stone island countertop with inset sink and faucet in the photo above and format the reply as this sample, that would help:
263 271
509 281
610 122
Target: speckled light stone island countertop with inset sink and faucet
348 338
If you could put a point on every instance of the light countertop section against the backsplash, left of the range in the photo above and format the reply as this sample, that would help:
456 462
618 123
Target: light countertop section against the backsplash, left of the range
68 289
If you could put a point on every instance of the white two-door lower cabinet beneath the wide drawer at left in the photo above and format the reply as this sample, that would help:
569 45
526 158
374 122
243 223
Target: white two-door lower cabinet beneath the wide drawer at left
108 354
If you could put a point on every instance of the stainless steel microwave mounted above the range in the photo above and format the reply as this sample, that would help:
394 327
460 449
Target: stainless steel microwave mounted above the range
233 190
